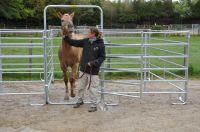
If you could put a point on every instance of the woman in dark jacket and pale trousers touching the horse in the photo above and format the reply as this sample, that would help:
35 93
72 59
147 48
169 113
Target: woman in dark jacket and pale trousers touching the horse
92 57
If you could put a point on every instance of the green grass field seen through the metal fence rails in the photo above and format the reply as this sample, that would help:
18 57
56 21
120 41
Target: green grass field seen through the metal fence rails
194 59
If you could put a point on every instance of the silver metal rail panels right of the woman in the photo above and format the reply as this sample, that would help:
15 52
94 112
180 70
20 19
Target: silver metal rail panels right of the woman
156 57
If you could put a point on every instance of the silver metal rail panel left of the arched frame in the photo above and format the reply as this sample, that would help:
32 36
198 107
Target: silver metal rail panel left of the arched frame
21 64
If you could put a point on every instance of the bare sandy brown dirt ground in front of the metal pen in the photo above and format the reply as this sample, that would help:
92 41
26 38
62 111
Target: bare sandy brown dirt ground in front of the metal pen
153 113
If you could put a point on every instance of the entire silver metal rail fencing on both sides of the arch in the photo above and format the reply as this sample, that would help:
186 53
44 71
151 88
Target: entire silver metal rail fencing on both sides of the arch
152 57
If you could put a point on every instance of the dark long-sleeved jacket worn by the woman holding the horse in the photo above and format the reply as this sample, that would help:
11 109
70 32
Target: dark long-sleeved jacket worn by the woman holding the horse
92 52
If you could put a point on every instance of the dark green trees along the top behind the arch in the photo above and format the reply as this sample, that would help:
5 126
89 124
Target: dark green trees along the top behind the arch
123 12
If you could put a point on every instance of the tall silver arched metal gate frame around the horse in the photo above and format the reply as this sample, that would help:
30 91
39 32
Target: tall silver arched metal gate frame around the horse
48 74
